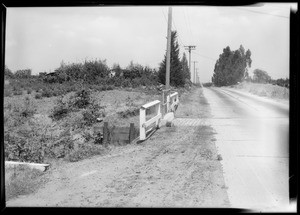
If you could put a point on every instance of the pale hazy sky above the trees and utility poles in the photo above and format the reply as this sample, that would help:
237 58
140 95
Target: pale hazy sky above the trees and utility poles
41 38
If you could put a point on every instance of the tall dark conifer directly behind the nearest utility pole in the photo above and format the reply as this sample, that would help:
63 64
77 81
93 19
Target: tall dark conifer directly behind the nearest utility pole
177 77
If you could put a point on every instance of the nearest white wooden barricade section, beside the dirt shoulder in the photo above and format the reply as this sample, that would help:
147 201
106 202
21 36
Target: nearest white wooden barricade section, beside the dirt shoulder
143 123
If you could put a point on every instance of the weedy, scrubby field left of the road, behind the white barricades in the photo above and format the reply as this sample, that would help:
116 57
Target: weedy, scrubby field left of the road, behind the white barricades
60 129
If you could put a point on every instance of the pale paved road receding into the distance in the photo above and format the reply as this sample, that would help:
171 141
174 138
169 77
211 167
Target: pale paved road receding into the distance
252 138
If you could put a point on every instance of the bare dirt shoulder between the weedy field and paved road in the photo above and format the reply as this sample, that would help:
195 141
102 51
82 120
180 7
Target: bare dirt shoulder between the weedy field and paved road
176 167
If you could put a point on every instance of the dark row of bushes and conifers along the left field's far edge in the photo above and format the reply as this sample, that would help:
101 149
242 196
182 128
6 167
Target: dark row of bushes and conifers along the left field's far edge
96 71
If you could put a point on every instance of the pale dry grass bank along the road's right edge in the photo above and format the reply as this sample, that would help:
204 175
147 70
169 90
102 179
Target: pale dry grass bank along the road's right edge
265 90
